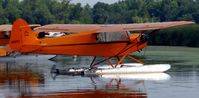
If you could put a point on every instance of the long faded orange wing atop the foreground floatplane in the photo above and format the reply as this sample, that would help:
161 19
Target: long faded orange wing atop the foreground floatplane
78 28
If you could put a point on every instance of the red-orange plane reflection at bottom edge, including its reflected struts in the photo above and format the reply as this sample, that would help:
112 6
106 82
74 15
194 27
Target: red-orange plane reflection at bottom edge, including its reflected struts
113 89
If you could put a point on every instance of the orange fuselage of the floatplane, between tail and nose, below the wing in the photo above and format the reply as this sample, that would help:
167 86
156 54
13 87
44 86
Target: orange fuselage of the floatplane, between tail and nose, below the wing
87 44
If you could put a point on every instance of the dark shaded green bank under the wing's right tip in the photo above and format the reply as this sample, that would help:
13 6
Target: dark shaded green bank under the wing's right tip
179 36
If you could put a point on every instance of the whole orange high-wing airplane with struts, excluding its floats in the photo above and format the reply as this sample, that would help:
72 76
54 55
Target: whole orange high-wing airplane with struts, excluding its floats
108 40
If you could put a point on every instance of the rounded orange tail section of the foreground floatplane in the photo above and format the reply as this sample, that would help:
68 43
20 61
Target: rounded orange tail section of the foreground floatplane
23 39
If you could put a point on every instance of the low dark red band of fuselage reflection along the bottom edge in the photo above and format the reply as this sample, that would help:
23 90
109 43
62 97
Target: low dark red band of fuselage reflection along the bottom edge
90 94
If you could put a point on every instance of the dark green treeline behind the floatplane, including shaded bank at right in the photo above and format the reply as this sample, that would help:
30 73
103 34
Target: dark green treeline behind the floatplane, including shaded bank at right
125 11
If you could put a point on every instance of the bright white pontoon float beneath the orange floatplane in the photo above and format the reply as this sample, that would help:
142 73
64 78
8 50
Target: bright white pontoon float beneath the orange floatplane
133 68
